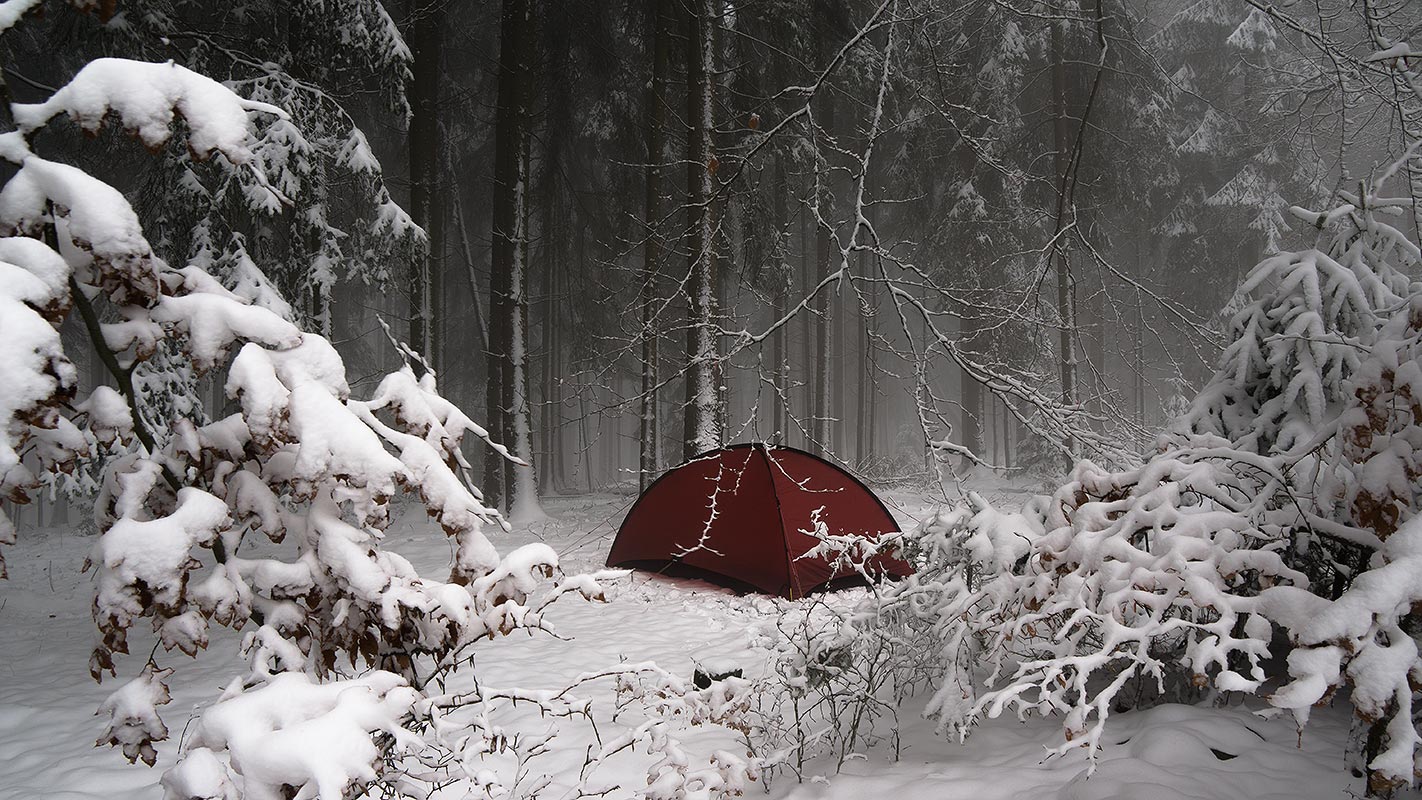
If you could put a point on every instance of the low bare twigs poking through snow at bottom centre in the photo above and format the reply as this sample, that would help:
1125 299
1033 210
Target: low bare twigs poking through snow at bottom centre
506 742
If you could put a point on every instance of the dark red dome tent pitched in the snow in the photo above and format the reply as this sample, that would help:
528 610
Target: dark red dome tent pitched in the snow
739 517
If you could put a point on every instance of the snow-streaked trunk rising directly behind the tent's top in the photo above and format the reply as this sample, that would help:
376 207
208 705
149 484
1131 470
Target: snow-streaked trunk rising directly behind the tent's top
702 431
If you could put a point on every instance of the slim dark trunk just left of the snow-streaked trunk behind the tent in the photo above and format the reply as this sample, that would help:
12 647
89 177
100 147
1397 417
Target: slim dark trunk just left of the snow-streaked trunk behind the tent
648 464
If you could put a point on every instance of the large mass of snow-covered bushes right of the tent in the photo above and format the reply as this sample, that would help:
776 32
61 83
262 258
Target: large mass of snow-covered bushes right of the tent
1273 522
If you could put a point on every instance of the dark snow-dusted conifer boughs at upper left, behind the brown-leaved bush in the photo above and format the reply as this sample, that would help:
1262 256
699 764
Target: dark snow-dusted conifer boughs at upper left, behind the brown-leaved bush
316 211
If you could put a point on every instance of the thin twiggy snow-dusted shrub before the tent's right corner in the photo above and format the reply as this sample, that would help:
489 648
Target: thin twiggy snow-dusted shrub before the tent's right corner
841 667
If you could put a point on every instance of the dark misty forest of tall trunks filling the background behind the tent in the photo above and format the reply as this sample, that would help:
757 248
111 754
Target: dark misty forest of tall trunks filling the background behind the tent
915 237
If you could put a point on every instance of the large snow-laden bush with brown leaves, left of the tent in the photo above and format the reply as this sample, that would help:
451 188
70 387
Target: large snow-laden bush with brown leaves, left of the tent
304 464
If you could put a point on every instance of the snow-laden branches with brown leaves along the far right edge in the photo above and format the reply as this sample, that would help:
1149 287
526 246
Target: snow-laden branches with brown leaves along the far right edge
1362 630
